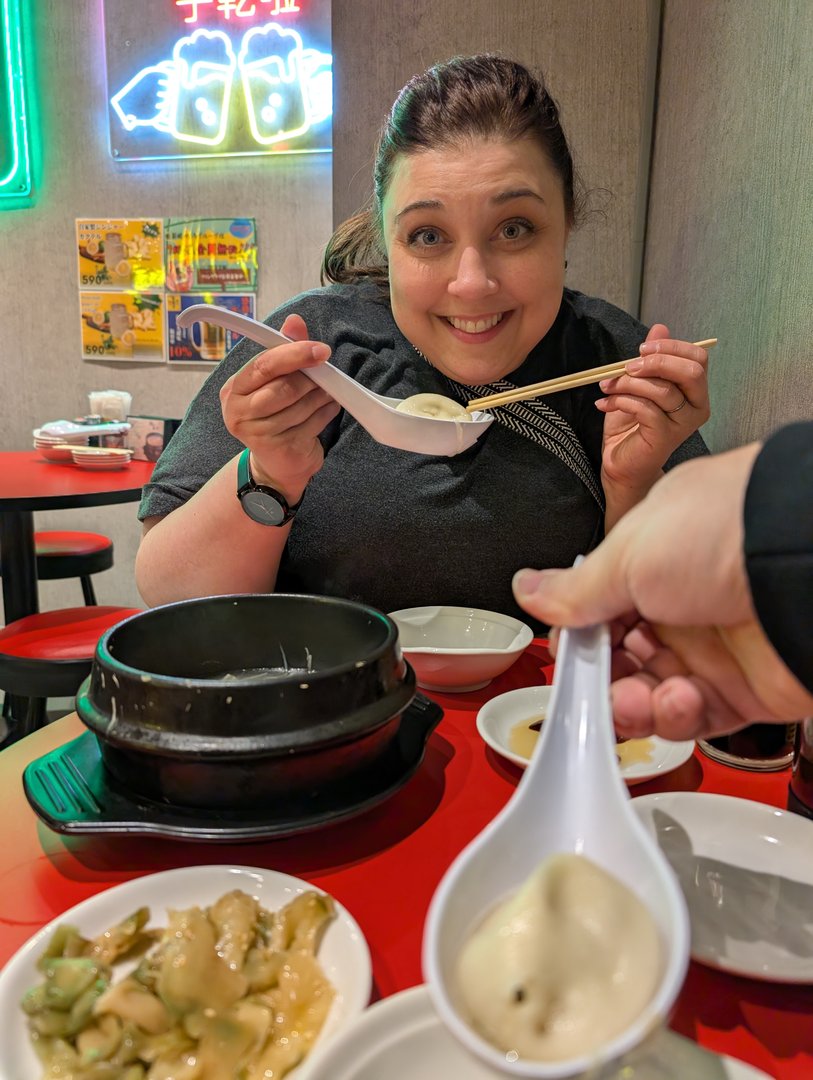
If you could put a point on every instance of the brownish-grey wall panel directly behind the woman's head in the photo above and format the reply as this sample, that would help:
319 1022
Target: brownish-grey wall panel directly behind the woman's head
600 62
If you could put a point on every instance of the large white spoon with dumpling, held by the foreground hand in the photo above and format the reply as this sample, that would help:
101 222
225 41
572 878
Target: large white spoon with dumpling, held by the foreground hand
571 802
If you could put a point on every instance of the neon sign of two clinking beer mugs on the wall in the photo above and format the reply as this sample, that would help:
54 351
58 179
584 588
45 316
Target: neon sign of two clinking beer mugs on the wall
241 84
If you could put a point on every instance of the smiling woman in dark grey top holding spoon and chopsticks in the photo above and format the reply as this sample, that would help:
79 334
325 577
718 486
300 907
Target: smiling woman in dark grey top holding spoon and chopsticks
452 283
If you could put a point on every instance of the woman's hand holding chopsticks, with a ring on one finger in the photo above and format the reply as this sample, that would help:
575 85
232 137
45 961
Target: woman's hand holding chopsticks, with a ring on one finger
651 411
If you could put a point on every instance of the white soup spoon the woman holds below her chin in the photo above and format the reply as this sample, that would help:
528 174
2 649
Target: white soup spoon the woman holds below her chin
378 415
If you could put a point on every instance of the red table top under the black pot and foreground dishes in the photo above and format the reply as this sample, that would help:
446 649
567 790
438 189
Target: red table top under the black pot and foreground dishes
386 865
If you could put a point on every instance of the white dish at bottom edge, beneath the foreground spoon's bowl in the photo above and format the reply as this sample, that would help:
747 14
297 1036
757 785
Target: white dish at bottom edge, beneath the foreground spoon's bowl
402 1038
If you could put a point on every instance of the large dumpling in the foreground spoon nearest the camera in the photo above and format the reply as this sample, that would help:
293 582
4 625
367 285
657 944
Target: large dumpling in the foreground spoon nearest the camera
563 966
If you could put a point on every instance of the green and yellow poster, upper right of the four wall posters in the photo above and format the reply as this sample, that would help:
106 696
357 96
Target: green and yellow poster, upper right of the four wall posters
212 255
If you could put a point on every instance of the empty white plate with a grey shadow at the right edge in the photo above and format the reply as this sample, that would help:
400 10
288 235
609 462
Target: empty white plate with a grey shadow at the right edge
747 871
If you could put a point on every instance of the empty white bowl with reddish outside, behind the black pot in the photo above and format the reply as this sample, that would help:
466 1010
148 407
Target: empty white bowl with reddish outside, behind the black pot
458 650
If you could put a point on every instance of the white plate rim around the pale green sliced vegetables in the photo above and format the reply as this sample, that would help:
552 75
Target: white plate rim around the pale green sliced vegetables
344 954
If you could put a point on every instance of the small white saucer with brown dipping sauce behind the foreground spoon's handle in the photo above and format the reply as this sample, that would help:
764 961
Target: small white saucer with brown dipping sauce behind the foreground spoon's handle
499 715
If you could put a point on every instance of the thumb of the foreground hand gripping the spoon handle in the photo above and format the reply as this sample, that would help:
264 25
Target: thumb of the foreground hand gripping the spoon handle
595 591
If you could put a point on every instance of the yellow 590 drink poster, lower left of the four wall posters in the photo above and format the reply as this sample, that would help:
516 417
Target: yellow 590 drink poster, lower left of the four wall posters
128 327
